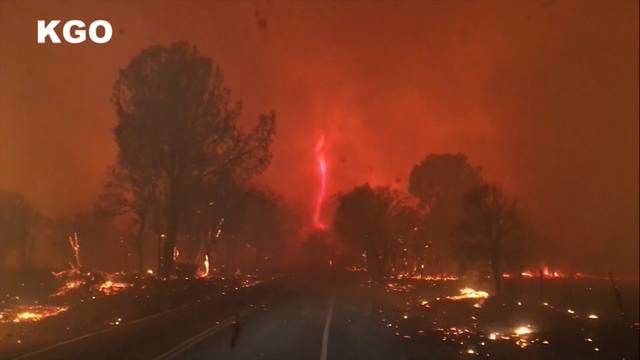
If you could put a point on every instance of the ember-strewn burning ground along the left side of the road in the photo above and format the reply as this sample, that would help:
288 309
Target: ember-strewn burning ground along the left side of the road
82 302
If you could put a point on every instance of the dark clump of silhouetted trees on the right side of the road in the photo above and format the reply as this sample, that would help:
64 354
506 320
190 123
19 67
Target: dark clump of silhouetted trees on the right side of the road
457 222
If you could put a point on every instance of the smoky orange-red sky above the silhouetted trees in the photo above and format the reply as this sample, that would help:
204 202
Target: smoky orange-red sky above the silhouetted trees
543 95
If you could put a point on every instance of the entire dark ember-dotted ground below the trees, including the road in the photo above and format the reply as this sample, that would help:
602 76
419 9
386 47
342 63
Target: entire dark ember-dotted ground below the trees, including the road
338 316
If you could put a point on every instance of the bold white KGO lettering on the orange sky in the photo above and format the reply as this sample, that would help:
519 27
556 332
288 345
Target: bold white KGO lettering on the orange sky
73 31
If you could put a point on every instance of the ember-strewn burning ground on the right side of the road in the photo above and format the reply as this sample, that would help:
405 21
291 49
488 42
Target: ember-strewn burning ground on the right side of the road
578 318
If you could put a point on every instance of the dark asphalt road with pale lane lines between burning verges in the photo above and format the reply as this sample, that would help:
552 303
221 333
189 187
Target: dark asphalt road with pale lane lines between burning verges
304 318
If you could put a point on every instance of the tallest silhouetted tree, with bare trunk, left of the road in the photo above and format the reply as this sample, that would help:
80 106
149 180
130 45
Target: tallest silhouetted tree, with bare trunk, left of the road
176 120
